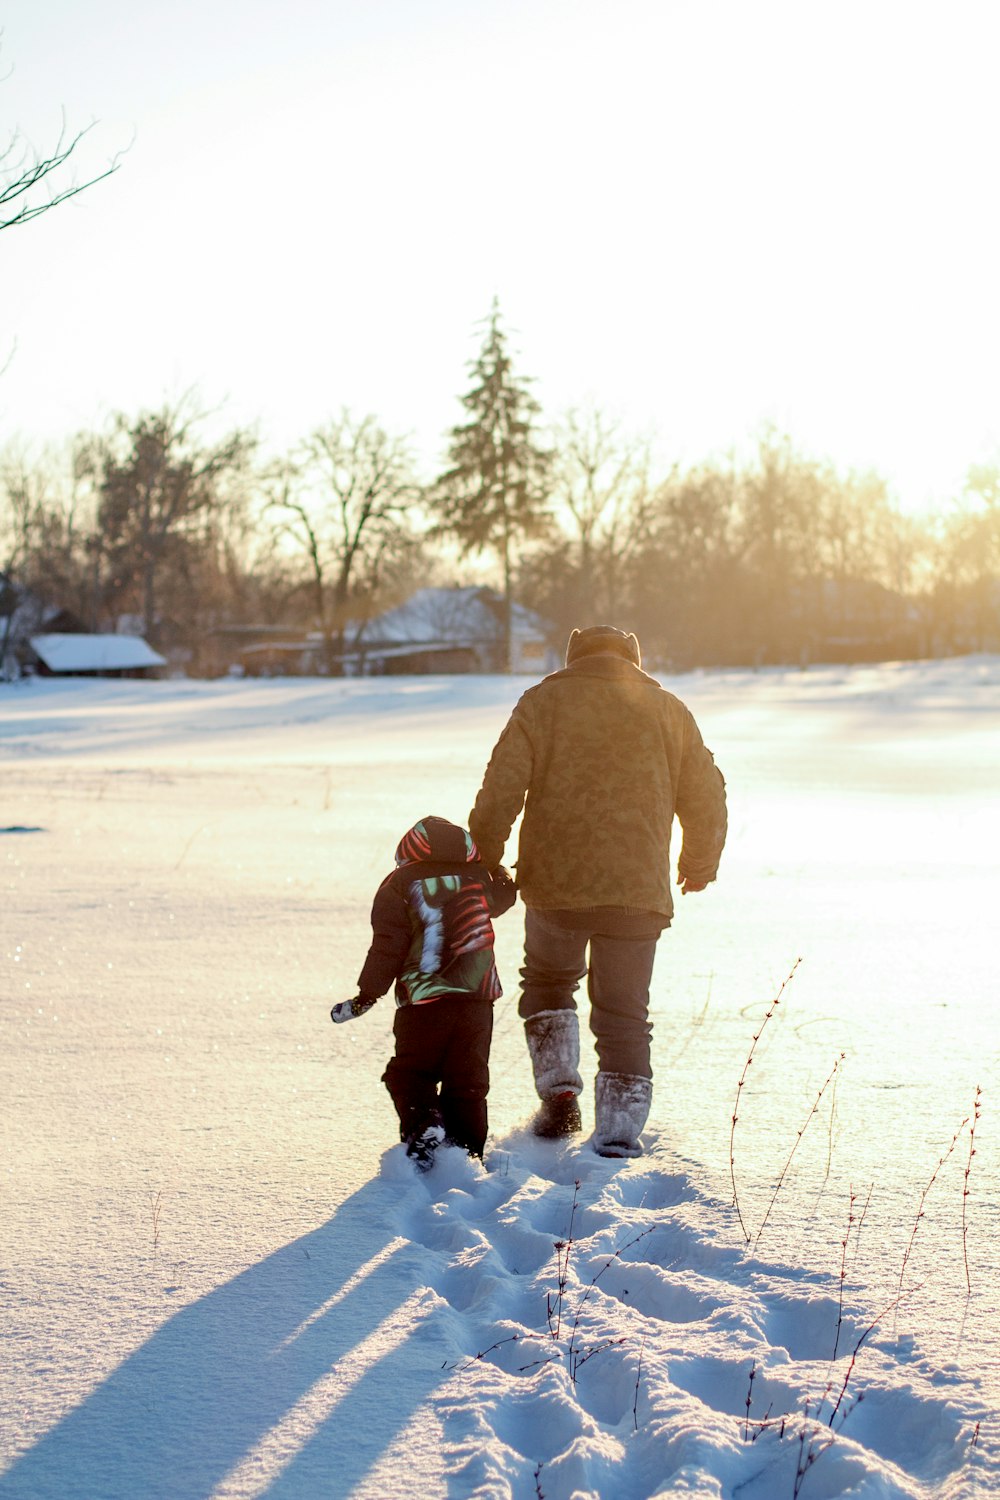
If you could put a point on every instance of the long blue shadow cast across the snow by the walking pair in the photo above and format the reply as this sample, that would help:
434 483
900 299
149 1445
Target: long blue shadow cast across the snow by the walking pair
260 1372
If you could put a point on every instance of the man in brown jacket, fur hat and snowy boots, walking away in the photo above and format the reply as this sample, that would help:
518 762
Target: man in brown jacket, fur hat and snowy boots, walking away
602 760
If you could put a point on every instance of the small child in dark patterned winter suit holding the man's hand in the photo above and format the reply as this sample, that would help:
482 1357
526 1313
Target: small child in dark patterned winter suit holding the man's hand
433 935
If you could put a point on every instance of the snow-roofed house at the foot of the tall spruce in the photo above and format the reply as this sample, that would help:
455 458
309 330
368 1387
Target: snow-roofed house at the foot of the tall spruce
452 631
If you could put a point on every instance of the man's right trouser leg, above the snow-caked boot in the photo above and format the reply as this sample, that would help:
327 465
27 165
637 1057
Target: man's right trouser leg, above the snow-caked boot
618 983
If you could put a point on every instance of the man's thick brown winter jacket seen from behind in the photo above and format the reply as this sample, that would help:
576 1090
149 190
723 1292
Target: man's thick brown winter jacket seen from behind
602 760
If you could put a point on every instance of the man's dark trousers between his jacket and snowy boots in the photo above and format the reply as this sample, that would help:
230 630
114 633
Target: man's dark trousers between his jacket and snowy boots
621 952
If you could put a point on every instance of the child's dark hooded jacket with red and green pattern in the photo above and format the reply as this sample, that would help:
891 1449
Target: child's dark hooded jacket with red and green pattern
431 920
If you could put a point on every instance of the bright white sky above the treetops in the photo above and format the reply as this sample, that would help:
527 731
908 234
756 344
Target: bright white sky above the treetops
698 217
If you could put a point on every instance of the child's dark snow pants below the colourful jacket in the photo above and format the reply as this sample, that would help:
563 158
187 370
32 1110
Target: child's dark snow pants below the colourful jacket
442 1069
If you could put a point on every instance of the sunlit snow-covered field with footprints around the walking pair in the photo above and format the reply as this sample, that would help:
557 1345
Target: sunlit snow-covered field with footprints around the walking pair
218 1274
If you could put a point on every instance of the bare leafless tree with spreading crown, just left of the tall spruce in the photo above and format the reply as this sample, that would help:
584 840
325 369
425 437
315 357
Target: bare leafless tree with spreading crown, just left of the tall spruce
346 505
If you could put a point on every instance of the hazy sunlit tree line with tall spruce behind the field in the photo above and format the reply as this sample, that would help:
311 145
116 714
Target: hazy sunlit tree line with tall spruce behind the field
765 559
